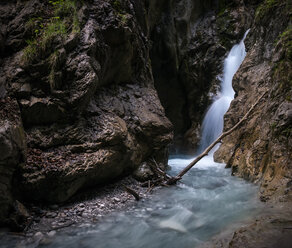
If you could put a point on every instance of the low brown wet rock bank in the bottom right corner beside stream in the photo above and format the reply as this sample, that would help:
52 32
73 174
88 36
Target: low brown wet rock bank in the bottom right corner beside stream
270 229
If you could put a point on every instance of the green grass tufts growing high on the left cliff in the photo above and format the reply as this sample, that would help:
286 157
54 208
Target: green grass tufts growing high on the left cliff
44 31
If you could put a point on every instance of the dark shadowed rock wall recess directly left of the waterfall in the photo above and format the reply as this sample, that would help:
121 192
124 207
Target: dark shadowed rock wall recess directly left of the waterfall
190 42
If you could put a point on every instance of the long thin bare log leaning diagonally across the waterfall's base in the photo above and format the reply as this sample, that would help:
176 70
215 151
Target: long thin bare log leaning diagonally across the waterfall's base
178 177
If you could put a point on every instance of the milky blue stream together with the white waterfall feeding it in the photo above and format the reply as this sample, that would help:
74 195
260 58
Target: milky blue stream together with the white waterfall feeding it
206 201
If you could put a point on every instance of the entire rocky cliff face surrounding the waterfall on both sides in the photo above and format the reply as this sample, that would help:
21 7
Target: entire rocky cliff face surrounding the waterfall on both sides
78 78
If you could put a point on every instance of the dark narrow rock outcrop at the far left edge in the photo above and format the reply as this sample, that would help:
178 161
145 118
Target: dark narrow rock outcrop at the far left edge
13 152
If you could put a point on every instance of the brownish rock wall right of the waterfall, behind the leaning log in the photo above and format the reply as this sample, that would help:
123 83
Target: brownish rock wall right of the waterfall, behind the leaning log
260 150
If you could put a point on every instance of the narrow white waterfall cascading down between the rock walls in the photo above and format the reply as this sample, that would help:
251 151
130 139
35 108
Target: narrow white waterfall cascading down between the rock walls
212 125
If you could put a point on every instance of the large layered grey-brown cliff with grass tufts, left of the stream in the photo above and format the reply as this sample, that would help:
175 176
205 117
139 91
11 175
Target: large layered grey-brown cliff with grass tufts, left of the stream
85 90
